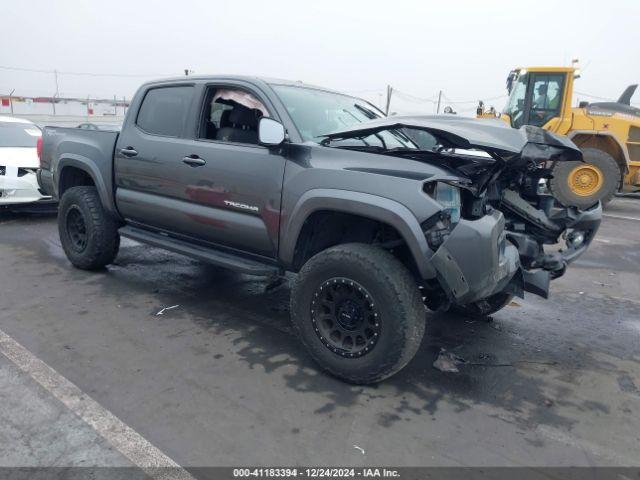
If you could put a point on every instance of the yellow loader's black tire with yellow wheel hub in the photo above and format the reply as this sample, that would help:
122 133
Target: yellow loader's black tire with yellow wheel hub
584 194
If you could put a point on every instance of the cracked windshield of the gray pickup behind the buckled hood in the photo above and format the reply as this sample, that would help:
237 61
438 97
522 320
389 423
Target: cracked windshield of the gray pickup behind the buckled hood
316 113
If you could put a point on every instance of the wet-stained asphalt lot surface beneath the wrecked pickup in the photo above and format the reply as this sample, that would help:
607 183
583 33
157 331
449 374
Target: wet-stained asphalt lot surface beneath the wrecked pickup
218 377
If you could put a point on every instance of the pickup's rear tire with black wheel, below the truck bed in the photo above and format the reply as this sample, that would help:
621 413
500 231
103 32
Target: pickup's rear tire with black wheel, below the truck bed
89 235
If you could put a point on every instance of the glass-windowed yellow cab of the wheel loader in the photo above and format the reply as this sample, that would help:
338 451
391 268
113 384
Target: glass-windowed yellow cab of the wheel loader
538 97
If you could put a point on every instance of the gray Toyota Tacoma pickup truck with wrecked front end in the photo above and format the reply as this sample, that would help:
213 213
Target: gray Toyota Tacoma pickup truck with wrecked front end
378 216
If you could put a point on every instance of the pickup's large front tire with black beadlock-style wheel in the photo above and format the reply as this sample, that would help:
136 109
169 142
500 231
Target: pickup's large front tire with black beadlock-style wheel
358 311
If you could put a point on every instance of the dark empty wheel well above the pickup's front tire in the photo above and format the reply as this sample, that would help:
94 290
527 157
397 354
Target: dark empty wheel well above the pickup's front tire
327 228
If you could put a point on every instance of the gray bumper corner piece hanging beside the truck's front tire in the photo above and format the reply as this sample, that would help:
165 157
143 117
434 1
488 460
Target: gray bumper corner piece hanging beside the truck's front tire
476 260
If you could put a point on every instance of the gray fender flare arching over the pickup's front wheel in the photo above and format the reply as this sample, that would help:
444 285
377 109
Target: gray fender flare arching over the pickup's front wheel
363 204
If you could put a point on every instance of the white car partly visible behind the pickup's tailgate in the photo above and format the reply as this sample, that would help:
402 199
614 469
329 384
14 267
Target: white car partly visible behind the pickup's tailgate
19 162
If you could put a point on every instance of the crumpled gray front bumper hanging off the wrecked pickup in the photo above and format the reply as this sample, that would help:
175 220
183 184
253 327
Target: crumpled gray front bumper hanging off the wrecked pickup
480 258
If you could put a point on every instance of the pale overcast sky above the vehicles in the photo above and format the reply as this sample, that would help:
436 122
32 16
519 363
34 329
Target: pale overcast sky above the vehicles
464 48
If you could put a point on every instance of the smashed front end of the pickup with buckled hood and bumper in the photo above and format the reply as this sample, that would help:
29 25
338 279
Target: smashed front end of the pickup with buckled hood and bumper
499 230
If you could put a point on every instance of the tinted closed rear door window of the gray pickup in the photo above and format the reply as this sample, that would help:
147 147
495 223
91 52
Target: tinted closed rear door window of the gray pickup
164 110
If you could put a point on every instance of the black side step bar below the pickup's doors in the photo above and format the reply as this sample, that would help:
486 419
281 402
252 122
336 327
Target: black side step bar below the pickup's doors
215 257
